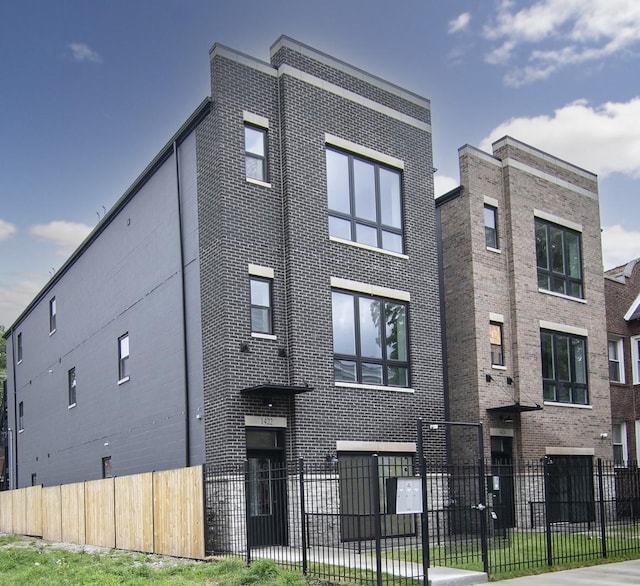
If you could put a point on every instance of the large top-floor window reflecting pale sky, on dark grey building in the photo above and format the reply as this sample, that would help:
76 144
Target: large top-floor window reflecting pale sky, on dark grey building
364 200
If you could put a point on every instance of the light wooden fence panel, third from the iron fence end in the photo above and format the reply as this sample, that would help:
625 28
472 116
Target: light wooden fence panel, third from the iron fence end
100 522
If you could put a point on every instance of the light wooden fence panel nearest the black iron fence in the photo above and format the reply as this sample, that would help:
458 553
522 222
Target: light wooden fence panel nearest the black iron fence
178 508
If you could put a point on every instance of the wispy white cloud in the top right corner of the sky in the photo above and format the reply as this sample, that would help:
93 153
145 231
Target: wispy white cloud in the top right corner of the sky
575 31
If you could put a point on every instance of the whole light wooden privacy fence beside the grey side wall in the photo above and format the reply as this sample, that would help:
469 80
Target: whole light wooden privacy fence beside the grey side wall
155 512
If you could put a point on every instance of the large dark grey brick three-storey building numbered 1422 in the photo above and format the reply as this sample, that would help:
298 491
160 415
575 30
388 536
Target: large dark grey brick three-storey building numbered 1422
267 289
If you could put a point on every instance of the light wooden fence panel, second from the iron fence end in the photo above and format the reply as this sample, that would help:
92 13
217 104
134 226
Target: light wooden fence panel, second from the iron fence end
134 512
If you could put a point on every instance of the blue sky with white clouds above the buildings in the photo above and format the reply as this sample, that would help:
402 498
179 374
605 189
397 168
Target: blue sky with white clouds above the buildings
91 90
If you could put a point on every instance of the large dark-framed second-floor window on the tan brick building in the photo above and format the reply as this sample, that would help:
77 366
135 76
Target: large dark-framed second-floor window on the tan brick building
564 368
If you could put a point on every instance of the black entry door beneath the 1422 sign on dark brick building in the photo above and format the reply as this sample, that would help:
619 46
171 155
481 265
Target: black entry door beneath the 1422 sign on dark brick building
266 497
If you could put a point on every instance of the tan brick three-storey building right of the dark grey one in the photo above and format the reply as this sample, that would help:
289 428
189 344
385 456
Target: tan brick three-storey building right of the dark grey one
523 294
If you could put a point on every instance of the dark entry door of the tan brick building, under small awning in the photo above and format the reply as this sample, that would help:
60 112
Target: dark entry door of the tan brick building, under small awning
502 485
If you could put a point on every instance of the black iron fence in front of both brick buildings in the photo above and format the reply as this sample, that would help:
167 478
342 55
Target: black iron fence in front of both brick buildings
352 520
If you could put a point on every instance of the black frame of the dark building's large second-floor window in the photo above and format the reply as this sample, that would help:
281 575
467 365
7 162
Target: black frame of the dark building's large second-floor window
357 358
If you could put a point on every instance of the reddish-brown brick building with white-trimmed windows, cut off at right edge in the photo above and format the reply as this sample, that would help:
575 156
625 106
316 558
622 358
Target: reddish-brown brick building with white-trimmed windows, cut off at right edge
622 291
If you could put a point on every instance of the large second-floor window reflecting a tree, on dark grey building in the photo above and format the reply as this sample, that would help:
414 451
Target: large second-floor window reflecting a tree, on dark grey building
370 341
